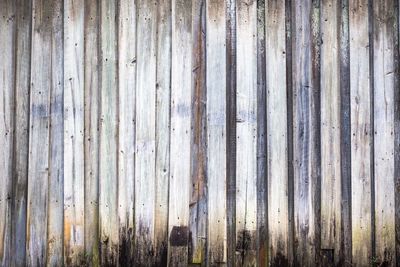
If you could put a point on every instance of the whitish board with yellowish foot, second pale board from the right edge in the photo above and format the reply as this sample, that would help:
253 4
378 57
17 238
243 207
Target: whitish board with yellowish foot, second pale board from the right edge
361 133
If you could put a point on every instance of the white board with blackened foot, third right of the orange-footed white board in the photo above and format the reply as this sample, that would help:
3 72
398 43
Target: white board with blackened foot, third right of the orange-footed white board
126 132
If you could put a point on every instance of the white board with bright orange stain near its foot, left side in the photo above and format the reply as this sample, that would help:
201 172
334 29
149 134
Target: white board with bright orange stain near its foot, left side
73 132
